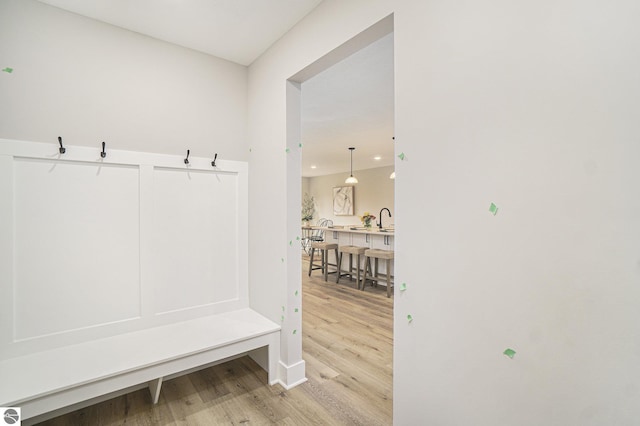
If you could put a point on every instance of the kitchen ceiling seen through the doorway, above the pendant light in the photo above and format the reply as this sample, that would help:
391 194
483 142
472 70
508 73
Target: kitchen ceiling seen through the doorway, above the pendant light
350 104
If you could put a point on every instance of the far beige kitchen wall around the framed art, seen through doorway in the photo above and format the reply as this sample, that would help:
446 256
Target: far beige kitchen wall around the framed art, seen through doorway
373 191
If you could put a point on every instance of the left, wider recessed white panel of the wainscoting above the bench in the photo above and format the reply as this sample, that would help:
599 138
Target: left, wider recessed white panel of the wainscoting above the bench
76 245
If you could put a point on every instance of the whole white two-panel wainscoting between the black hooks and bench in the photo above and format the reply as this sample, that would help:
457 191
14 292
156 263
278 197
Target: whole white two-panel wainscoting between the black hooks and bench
92 247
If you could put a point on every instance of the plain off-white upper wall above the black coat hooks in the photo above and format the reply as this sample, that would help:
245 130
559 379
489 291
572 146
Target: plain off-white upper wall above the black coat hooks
91 82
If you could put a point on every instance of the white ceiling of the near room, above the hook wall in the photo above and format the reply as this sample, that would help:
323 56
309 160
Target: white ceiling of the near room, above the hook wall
236 30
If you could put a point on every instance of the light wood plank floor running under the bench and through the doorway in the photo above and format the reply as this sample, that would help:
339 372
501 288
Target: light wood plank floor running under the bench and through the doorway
348 346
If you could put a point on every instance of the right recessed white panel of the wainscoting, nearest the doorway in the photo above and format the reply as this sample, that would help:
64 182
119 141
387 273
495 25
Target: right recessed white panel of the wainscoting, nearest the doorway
194 211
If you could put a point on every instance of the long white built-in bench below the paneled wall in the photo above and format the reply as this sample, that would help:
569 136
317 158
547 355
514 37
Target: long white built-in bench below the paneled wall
48 381
